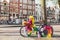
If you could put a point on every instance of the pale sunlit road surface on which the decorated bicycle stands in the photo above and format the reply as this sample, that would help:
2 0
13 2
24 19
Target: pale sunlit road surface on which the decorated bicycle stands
12 33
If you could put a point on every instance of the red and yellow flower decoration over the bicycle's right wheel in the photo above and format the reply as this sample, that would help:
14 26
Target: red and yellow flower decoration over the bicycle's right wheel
47 32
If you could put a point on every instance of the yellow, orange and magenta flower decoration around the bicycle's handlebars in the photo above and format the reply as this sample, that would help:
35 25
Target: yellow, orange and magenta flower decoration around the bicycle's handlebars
30 26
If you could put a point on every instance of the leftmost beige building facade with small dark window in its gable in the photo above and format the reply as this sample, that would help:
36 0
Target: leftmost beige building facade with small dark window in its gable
4 10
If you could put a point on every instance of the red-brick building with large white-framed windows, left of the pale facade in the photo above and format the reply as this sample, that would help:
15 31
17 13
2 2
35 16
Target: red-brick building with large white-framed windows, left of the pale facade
21 7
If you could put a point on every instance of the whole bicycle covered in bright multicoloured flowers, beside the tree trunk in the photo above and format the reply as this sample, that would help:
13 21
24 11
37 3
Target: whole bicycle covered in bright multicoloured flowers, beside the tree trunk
31 30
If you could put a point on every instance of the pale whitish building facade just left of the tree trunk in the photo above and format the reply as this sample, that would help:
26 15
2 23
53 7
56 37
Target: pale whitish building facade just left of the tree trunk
38 10
